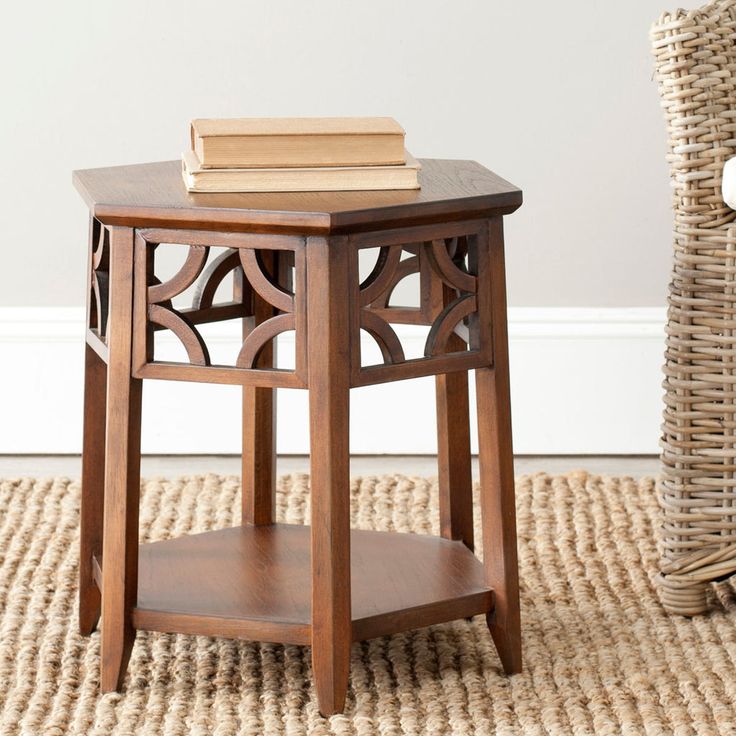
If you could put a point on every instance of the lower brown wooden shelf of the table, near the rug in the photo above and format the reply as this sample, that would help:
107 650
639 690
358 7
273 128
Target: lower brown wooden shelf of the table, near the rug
254 583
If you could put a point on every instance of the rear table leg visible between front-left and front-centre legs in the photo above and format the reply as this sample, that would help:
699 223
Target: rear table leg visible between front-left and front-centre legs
259 432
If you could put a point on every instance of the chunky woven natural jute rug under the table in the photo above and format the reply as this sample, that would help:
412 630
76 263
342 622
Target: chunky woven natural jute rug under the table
601 656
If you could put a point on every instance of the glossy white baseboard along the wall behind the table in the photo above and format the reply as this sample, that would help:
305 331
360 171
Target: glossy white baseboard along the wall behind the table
584 381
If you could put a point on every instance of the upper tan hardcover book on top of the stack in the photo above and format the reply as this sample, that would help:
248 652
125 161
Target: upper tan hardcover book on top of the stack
297 142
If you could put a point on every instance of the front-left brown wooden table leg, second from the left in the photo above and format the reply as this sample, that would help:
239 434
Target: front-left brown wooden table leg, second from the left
122 471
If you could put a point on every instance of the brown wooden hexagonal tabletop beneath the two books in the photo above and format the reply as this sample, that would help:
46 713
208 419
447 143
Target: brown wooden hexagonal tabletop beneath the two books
154 195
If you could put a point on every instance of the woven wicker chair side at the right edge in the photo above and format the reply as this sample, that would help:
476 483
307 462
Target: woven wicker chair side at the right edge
695 55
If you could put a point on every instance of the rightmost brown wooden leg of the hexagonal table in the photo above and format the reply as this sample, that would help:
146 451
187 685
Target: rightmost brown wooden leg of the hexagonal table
497 471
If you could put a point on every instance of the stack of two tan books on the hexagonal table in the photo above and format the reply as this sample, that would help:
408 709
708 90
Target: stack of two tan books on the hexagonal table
298 155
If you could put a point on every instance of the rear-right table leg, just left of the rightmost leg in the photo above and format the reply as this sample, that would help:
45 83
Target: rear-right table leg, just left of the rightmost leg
453 457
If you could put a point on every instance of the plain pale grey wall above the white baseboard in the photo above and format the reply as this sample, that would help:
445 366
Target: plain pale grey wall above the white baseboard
557 97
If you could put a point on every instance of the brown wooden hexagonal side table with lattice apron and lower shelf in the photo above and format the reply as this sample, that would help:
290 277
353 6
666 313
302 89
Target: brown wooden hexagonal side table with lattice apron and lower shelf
292 264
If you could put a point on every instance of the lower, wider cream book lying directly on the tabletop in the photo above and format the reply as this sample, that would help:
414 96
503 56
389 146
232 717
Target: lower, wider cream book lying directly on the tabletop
315 179
